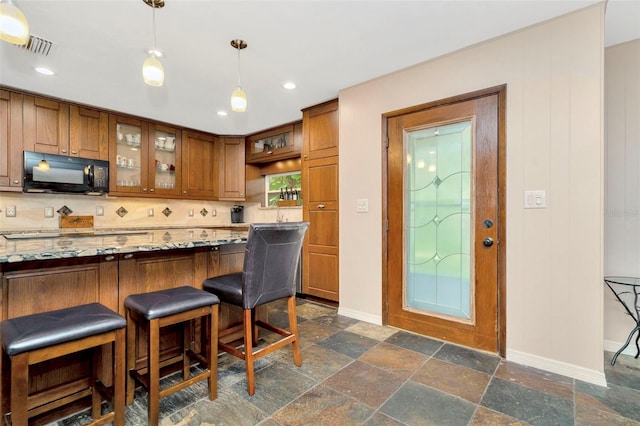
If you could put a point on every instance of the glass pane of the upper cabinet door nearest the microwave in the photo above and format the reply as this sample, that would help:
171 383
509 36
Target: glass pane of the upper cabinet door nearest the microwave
129 156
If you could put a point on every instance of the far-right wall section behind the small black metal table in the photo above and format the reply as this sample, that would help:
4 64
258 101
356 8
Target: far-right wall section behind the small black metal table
622 180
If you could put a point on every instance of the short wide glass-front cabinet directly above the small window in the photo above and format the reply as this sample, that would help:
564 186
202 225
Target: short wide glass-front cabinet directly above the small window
278 143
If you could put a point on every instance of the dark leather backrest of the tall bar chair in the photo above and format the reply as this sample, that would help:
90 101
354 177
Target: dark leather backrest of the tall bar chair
271 262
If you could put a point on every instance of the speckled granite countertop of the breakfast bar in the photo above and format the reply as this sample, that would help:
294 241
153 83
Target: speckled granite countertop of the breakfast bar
62 244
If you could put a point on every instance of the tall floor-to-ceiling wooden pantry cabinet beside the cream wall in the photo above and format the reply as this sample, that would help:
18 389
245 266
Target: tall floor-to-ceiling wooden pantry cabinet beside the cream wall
320 195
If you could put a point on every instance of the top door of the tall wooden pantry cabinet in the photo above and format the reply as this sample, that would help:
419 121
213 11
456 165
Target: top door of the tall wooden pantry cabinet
320 131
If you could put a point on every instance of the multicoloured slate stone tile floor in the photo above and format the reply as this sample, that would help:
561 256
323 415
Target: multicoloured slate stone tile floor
355 373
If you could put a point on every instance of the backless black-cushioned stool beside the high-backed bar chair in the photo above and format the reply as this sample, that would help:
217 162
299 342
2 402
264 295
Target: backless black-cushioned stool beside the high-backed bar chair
155 310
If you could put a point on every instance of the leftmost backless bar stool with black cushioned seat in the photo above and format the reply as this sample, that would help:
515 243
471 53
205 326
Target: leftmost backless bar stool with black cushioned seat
31 339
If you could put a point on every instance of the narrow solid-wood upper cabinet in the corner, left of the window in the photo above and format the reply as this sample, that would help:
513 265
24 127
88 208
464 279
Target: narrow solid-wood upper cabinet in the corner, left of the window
231 166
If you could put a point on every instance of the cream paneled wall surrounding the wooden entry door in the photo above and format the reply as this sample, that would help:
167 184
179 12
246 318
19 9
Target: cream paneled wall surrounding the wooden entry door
554 77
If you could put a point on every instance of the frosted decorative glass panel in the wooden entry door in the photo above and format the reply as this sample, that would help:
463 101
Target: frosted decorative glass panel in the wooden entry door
438 194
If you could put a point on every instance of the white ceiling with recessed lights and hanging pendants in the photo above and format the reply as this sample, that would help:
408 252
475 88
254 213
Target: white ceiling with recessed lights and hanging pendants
323 46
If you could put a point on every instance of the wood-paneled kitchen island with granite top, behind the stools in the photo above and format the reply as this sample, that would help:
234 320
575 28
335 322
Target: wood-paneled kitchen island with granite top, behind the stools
44 271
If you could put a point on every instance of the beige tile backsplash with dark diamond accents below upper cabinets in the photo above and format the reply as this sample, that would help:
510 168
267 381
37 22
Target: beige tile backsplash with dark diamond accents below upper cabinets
31 210
